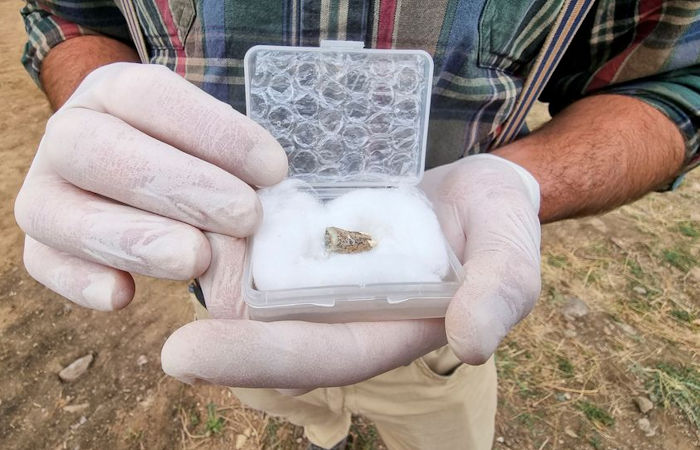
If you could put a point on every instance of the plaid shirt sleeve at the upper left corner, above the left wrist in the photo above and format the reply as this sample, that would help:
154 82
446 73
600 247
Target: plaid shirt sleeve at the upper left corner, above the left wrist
50 22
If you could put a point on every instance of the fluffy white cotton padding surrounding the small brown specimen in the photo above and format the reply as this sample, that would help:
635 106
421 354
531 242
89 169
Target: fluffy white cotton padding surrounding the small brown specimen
289 250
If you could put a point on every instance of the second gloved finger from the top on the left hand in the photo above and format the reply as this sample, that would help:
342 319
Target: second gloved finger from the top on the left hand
115 160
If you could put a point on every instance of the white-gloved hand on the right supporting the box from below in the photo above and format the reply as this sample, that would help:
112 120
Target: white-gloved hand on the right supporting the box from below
488 209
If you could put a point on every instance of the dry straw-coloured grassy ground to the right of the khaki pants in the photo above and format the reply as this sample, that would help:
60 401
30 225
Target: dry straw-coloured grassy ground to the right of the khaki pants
637 270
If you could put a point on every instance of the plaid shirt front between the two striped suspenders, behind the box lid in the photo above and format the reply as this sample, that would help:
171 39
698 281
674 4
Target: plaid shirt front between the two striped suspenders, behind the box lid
480 48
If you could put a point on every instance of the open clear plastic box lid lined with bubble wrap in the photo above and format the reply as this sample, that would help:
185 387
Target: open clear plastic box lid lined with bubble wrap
345 115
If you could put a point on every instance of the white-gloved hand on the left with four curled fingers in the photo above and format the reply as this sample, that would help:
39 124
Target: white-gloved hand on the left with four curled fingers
129 171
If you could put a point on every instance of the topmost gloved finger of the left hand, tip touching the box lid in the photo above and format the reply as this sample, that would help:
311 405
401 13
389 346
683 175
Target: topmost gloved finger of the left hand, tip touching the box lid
165 106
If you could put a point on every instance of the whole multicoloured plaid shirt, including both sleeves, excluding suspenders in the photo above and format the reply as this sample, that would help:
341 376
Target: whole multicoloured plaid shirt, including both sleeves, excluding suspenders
482 49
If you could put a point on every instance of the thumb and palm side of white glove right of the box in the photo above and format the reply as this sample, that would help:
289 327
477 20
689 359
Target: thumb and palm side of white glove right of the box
488 209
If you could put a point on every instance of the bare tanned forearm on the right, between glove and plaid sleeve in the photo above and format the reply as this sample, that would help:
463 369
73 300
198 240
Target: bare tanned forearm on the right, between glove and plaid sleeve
599 153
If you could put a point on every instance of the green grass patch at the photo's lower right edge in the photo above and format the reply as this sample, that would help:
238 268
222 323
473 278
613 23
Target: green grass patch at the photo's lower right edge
678 386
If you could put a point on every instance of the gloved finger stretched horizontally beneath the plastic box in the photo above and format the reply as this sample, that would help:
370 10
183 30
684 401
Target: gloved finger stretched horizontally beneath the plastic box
295 355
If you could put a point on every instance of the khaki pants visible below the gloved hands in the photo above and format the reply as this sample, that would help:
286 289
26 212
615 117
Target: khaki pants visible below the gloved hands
436 402
